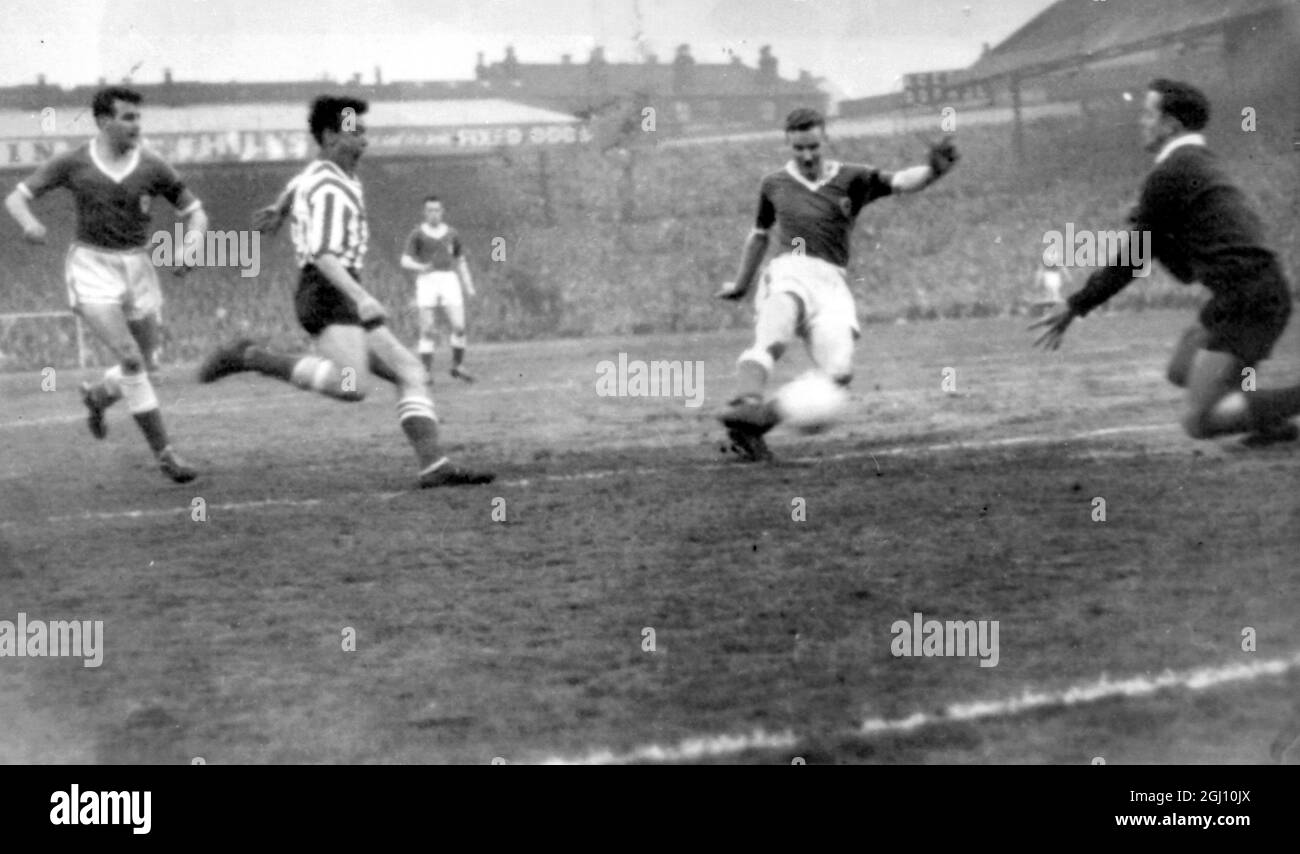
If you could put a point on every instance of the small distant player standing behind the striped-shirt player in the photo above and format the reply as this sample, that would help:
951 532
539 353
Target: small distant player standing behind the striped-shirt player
435 254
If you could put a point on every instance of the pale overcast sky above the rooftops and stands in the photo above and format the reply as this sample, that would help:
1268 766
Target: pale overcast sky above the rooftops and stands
863 47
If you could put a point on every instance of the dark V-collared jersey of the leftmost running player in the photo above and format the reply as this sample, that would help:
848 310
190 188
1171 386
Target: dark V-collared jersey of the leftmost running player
112 210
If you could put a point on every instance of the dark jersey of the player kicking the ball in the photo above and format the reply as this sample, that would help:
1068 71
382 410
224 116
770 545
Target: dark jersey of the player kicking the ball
817 219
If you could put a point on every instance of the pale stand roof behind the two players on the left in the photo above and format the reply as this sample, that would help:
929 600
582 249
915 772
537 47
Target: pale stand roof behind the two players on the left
291 118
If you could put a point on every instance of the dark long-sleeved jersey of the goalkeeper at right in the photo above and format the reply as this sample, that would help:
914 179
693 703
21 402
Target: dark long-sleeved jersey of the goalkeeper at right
1203 229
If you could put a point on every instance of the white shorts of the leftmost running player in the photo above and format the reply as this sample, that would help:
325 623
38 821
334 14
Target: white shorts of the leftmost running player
111 278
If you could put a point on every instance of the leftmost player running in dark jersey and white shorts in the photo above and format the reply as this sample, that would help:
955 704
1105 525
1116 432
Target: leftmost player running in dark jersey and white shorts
112 283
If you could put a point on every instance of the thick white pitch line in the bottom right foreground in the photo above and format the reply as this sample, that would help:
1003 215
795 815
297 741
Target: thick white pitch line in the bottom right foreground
725 745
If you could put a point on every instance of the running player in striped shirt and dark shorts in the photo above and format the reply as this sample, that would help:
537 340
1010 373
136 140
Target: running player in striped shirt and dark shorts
348 324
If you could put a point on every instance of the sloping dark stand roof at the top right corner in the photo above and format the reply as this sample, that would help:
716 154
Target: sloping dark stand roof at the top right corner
1074 32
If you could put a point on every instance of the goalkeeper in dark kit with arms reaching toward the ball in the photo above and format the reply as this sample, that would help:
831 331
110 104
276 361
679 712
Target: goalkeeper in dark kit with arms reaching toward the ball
1203 229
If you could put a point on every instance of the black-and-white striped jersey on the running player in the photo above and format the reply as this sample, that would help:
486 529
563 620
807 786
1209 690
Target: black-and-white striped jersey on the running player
330 215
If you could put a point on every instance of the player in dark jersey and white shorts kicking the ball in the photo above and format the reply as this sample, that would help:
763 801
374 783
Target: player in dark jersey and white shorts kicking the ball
813 205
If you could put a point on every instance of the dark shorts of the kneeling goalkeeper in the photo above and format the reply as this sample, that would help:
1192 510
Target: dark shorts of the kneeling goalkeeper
1250 319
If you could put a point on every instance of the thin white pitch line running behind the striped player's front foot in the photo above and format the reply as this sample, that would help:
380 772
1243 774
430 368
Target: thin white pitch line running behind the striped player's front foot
899 450
